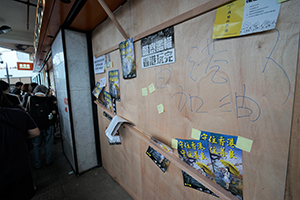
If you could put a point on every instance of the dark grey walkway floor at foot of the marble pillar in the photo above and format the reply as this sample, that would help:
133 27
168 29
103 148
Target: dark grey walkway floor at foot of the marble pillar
57 182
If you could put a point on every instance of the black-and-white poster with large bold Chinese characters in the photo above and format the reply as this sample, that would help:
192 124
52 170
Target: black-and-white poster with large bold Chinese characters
158 48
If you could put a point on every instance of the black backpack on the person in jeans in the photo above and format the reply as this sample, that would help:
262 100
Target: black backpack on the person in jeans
39 110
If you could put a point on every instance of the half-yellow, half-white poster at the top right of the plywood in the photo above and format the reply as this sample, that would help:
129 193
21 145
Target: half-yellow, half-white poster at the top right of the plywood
243 17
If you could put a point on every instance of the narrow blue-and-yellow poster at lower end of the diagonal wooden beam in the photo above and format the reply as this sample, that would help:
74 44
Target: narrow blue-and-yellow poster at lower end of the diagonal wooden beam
127 59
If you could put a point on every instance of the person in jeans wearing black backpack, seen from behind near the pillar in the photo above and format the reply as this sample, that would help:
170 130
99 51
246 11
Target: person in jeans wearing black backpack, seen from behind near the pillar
41 109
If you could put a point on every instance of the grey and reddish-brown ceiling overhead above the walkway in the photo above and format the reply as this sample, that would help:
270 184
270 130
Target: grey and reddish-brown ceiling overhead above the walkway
20 15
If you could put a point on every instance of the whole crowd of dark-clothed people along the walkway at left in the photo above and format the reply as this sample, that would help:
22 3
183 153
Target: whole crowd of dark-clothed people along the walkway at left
27 118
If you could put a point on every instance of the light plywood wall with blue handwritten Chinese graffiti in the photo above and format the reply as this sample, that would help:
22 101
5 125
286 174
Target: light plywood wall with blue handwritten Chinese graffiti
260 74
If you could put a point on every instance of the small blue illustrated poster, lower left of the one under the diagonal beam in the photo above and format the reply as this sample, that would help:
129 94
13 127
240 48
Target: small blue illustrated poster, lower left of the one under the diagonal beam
114 87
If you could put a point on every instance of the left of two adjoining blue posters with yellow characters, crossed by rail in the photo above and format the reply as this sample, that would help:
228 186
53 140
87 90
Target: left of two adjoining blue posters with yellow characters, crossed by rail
196 154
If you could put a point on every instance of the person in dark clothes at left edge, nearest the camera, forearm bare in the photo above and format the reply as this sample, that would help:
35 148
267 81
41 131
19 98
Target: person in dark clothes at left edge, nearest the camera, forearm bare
15 170
